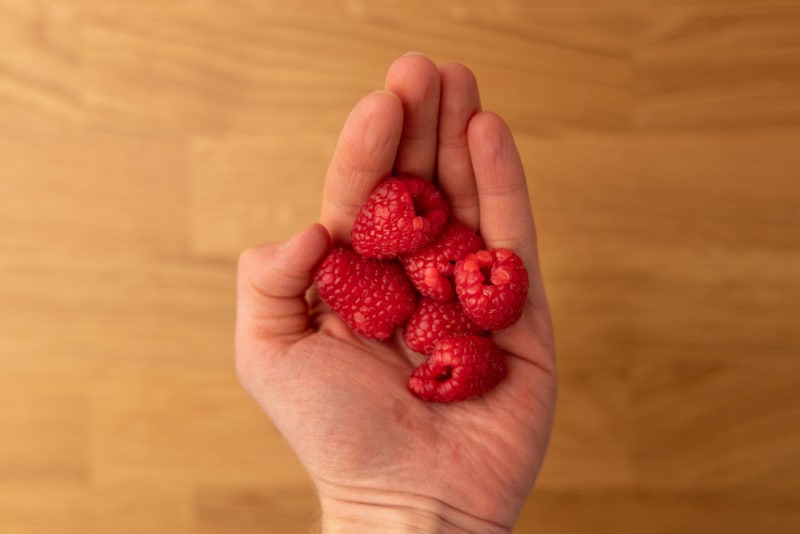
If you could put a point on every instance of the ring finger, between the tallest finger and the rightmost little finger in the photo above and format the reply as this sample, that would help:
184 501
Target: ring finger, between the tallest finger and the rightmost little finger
459 102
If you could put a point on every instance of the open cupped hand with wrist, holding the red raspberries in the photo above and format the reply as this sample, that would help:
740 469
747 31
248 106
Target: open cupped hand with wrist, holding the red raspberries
381 459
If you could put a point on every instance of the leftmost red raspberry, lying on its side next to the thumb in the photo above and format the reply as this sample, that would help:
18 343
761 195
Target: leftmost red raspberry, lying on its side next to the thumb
372 296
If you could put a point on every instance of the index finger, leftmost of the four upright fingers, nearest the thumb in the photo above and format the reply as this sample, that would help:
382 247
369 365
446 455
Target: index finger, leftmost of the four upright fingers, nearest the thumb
364 156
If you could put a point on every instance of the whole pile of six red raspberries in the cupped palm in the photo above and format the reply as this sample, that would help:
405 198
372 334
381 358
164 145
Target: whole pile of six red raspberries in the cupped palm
414 267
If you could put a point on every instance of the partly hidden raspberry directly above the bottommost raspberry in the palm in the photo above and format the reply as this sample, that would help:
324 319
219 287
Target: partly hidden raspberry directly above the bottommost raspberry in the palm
434 320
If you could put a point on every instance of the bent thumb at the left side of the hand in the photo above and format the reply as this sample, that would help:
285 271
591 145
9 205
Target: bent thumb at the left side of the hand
271 286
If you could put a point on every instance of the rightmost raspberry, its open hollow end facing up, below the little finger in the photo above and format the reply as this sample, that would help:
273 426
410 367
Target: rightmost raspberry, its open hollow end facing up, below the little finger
492 286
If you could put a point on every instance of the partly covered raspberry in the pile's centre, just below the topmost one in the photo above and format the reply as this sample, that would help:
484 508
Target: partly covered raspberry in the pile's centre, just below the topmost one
431 268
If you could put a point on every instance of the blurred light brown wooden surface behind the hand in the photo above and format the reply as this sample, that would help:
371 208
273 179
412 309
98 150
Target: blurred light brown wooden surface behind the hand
144 144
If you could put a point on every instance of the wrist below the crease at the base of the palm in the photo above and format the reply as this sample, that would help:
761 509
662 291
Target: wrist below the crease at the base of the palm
368 510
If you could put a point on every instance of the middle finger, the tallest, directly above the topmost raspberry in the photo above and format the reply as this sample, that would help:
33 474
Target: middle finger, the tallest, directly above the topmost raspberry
415 80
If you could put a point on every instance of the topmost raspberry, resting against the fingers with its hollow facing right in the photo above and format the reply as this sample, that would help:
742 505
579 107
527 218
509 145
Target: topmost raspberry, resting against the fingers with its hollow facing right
401 215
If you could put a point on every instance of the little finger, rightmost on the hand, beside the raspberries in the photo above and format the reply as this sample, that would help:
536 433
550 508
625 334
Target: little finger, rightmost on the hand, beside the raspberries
505 211
